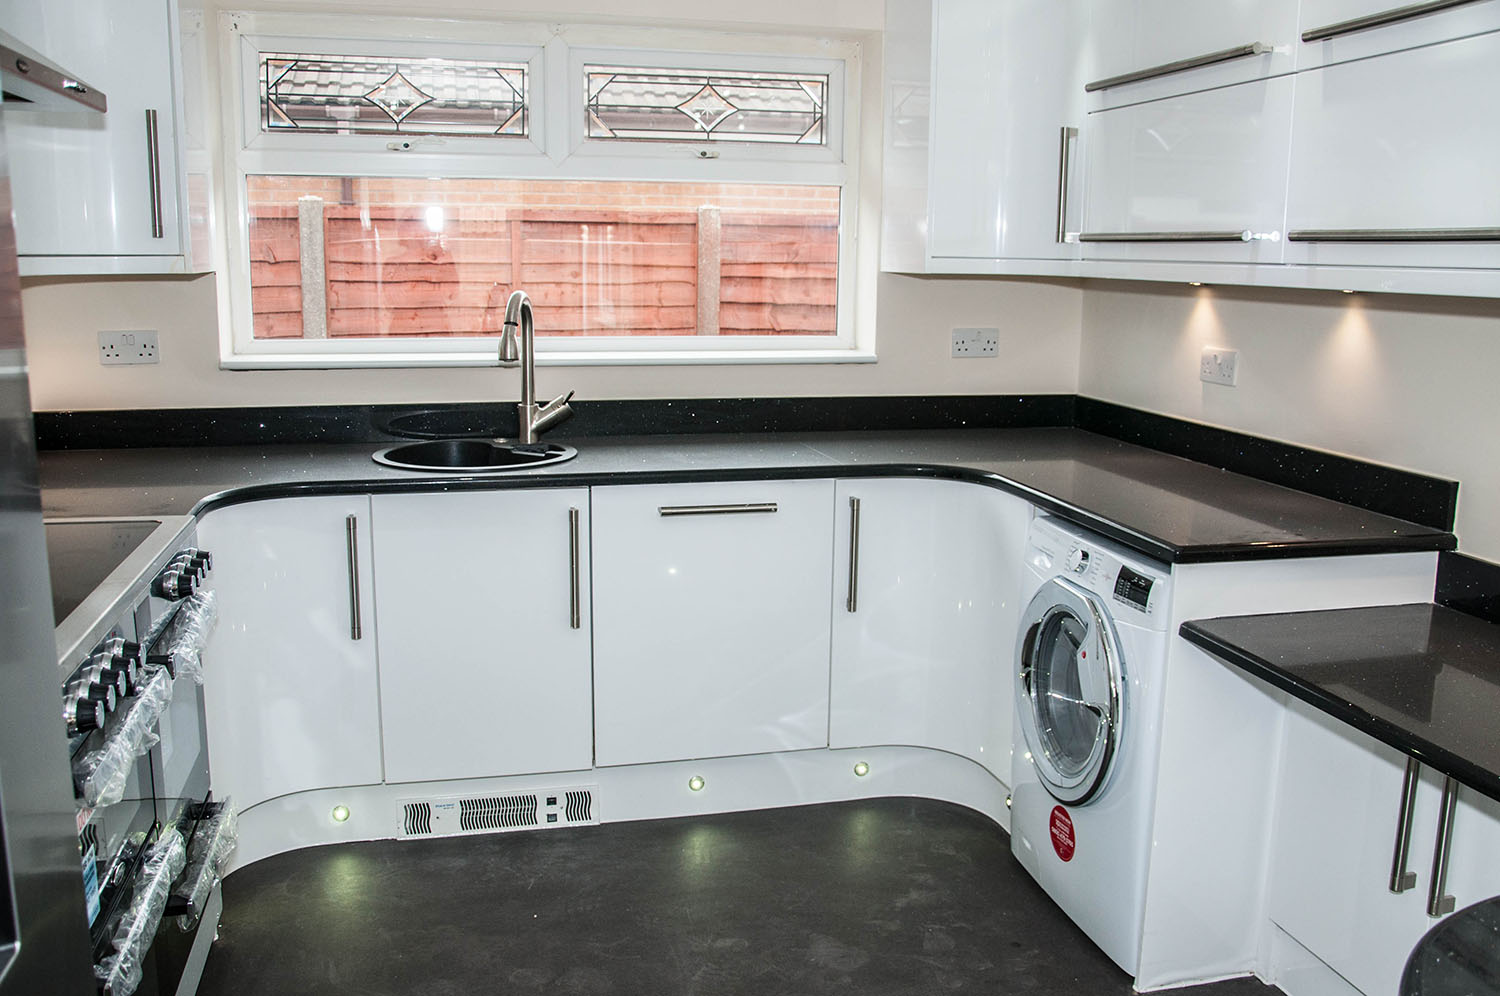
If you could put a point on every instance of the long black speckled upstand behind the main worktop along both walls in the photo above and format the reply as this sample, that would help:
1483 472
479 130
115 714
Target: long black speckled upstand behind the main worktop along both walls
1403 494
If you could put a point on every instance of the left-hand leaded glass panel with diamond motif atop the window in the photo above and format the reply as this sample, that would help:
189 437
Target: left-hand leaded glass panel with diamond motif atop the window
392 97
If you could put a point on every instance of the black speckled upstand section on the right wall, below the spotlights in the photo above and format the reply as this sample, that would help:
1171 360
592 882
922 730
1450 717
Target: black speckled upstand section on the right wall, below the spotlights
1430 502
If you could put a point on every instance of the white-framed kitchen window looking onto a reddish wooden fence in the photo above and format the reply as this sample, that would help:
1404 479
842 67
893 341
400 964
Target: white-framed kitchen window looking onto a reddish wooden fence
692 205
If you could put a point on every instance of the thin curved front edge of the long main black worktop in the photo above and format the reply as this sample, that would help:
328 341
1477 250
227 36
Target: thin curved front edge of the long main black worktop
1141 542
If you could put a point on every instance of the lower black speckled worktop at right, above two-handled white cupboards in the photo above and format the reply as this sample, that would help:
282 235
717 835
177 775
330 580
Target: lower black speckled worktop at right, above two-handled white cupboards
1421 679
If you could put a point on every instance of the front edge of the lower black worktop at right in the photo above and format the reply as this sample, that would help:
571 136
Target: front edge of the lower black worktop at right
1387 733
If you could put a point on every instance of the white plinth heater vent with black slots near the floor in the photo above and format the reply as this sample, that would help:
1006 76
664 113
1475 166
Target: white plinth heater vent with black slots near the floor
494 814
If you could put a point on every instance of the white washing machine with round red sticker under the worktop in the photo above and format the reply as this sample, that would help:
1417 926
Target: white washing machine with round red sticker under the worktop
1090 680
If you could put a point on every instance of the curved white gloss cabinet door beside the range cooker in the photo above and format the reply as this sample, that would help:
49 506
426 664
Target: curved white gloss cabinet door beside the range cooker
292 689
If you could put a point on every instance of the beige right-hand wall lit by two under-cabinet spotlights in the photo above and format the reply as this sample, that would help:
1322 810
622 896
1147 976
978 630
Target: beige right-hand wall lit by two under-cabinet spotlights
1399 380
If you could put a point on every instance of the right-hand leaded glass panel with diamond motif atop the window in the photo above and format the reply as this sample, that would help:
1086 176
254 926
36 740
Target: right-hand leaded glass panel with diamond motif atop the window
628 103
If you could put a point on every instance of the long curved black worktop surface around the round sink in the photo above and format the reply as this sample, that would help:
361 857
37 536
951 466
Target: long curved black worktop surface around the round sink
1163 506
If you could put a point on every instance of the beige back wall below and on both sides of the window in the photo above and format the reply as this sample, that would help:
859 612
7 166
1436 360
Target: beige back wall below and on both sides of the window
1040 329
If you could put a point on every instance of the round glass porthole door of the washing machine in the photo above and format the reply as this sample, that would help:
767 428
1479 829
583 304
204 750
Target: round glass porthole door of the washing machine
1070 689
